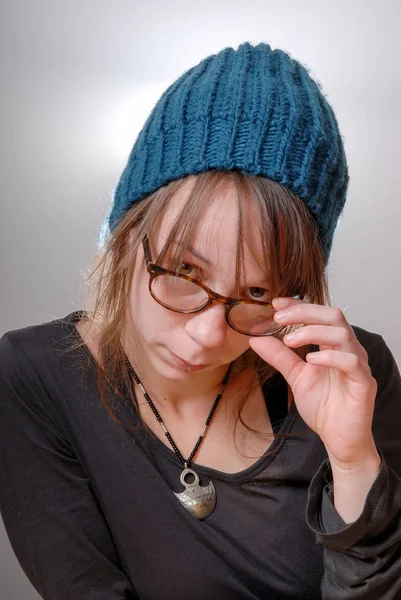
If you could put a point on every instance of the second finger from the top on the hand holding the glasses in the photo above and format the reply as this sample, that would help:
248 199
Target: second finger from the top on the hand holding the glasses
325 336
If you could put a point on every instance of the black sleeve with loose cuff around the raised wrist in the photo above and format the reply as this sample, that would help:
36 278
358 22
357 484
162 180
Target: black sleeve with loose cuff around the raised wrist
363 559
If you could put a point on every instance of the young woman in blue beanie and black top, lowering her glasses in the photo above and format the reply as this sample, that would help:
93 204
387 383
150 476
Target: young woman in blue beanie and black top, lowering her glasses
210 427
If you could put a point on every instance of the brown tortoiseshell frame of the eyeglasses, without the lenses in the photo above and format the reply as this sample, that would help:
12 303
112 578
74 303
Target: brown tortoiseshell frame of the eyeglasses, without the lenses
154 271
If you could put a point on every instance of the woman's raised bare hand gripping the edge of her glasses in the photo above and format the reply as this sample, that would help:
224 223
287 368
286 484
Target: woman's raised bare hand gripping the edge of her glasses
333 388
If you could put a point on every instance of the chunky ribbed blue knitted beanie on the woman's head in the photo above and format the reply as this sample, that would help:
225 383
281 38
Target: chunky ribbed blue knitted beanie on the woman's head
254 109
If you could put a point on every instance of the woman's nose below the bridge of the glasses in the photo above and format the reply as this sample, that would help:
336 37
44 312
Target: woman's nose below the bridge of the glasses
208 327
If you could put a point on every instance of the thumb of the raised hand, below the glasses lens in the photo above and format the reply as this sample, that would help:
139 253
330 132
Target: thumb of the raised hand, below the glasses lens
276 354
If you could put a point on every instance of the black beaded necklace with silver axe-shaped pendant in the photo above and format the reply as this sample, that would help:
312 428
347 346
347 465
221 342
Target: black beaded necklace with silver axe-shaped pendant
198 500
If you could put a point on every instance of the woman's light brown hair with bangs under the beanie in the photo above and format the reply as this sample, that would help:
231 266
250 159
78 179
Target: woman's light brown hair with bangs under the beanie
291 247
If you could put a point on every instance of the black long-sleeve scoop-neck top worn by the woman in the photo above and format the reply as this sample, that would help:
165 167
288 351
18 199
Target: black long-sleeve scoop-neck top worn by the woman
89 509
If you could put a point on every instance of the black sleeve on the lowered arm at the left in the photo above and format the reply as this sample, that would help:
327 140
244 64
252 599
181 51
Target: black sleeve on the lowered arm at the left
54 524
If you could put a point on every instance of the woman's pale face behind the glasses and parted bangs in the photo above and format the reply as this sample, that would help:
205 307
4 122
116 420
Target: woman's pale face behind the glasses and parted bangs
168 341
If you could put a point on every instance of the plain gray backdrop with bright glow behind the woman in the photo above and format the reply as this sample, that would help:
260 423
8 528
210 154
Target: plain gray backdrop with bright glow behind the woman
78 79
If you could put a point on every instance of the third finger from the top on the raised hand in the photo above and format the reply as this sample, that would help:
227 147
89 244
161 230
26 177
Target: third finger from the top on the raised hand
346 362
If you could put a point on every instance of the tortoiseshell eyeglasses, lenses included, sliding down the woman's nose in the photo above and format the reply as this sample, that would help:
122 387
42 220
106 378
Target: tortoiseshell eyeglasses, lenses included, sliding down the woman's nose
186 295
